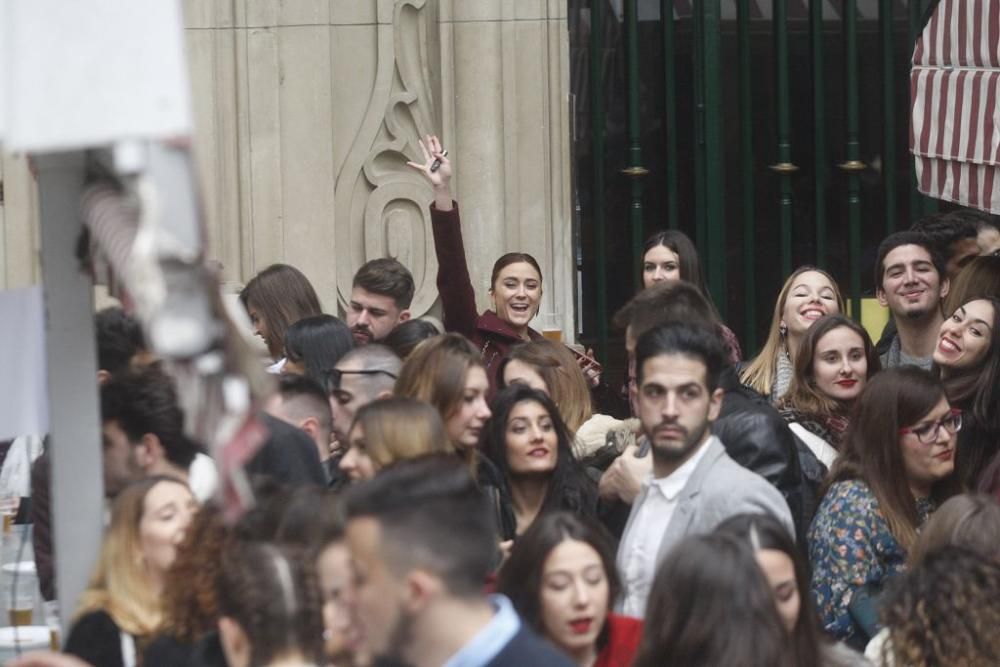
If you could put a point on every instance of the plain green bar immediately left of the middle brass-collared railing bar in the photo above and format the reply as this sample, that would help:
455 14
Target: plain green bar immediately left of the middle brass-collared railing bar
746 173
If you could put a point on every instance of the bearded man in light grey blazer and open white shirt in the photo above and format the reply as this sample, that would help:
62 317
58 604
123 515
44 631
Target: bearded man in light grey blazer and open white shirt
694 485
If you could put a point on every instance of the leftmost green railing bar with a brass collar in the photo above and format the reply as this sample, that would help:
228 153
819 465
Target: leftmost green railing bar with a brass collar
635 171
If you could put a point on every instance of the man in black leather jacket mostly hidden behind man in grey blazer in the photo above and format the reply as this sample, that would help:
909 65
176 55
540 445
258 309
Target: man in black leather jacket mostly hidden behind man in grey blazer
753 433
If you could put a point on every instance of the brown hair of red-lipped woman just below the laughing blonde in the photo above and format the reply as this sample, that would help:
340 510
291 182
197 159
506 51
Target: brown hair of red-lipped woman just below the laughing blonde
802 393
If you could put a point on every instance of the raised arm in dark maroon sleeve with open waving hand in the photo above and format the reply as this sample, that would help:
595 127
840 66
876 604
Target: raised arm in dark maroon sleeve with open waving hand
458 298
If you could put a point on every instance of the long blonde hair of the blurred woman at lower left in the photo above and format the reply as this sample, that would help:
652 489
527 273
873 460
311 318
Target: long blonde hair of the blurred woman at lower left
120 584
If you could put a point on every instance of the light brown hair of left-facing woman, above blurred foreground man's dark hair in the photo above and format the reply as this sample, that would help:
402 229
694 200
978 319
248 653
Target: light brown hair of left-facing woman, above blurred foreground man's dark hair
401 428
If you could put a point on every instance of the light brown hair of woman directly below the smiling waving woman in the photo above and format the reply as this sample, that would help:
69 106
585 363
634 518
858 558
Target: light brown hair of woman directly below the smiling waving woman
563 378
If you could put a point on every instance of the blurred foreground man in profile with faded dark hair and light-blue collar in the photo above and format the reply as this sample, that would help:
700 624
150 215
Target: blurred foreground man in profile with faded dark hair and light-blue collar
422 542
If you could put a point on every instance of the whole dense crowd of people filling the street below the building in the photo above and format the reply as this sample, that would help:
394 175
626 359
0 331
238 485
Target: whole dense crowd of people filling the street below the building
485 496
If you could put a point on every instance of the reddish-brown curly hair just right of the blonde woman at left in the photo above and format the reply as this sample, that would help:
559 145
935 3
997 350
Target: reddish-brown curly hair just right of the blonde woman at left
190 607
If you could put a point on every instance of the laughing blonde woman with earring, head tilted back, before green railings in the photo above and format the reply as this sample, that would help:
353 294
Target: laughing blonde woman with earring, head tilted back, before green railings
806 296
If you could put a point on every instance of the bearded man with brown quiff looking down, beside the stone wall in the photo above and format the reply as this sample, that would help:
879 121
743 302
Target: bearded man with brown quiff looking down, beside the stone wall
381 294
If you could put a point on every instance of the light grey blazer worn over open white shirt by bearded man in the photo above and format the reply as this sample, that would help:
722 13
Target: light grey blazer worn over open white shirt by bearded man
718 489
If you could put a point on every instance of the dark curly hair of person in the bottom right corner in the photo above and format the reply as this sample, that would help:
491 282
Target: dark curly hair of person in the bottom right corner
946 611
